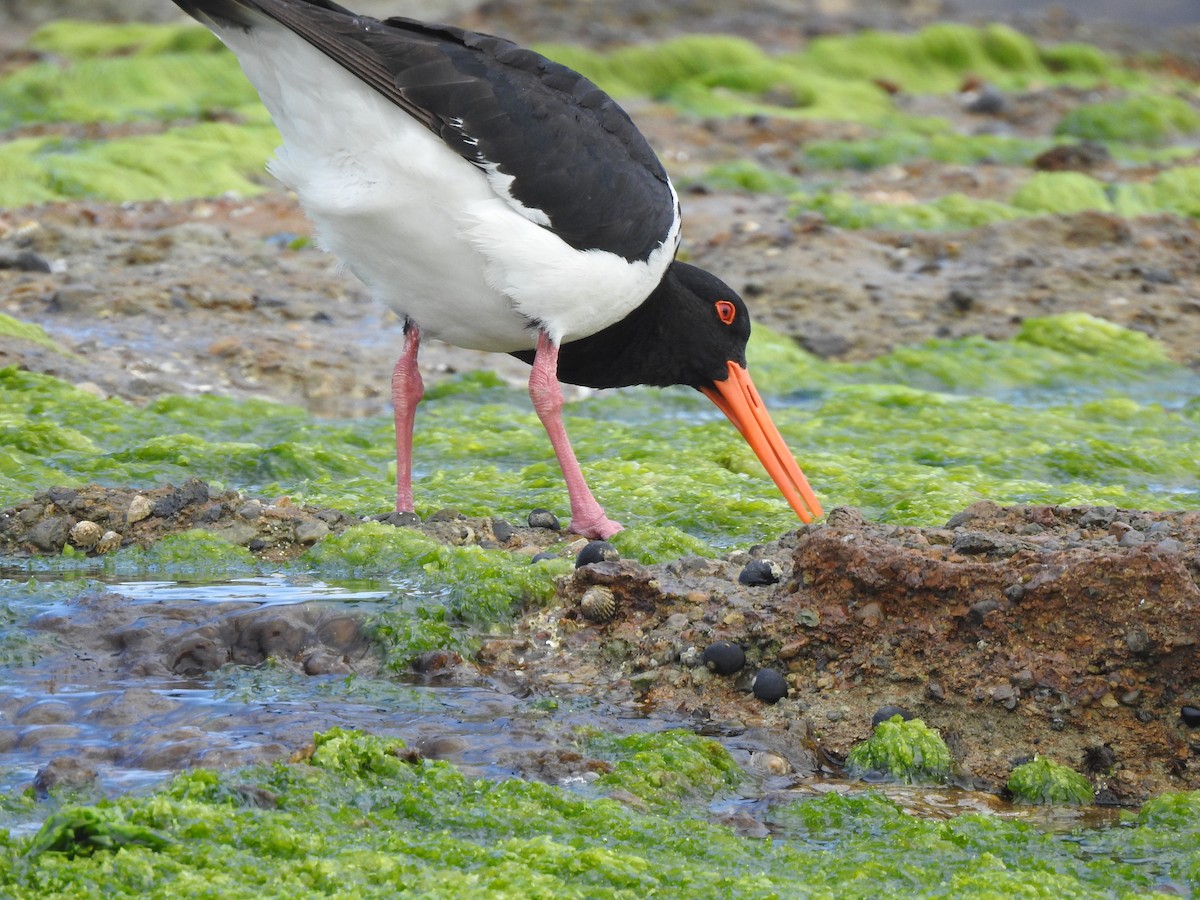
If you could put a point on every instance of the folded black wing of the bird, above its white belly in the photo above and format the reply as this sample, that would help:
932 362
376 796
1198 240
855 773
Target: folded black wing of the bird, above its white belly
573 154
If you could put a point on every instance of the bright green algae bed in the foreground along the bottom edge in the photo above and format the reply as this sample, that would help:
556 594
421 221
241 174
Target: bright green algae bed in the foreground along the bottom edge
357 815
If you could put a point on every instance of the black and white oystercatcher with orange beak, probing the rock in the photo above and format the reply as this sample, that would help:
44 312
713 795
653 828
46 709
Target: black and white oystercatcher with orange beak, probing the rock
496 201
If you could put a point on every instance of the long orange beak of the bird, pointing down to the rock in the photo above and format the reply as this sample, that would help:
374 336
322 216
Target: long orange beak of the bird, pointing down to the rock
739 399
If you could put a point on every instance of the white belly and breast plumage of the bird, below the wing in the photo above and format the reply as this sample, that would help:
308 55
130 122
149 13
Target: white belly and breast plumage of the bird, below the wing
433 236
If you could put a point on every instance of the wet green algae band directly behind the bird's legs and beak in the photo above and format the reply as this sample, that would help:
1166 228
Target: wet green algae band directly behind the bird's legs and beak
1069 412
